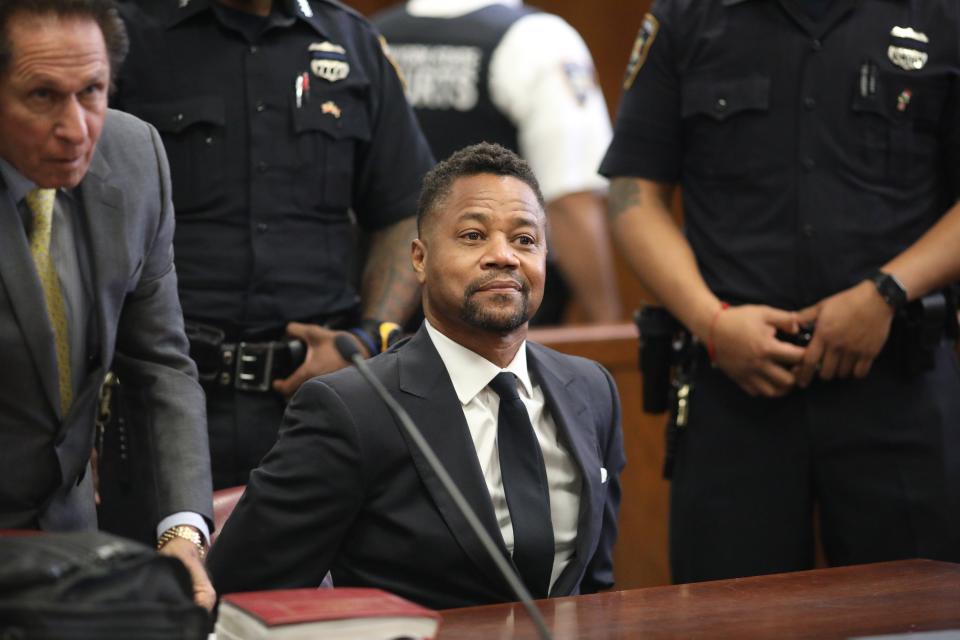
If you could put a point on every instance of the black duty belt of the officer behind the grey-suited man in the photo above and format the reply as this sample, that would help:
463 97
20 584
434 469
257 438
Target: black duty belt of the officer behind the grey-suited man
242 365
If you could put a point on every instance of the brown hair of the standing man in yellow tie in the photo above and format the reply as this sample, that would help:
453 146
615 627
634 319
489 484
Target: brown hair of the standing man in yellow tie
103 12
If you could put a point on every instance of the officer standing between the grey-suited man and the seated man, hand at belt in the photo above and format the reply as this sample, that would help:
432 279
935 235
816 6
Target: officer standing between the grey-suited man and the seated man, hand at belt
287 131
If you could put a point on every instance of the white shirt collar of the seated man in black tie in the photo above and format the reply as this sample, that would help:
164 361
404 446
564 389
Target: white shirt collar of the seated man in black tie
471 372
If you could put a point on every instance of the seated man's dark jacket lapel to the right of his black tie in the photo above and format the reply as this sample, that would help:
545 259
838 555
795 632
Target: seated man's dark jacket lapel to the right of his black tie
568 411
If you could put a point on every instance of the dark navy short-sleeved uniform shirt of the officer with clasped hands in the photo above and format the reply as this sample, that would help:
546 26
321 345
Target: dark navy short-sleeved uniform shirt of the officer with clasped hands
809 152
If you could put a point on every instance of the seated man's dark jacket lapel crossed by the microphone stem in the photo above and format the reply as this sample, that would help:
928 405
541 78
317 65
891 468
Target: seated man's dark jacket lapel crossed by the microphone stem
429 398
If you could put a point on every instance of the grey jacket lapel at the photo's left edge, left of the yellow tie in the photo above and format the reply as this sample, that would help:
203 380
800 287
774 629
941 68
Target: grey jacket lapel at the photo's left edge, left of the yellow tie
26 296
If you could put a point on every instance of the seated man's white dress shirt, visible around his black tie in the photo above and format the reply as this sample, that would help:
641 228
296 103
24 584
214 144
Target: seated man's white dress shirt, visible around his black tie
470 374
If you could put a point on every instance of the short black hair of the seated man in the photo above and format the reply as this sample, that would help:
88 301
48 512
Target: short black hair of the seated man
482 158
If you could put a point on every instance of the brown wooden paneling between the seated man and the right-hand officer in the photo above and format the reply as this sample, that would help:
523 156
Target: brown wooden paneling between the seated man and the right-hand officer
641 553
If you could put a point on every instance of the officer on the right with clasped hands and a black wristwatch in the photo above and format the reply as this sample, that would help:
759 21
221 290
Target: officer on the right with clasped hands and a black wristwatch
817 146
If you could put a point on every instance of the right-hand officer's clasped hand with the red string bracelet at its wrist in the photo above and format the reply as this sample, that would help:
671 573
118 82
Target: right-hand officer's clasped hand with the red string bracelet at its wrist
748 351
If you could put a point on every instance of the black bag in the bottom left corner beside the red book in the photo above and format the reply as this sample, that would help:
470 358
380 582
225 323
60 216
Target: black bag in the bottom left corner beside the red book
93 585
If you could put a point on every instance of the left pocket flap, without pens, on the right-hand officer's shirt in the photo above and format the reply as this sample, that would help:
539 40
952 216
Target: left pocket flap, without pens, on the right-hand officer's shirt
722 99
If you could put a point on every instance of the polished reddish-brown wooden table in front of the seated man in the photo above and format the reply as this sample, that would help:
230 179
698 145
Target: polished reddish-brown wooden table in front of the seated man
890 597
